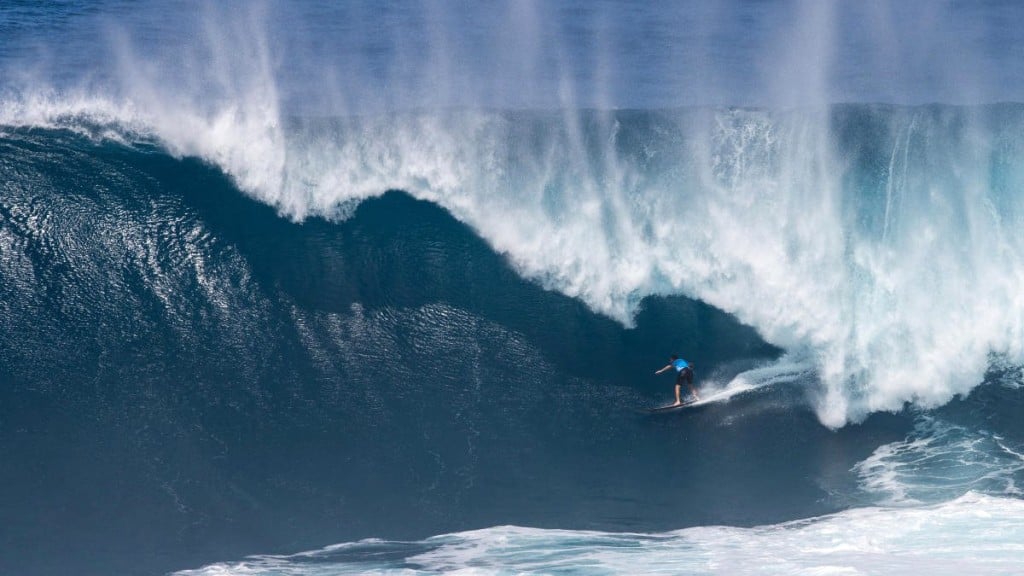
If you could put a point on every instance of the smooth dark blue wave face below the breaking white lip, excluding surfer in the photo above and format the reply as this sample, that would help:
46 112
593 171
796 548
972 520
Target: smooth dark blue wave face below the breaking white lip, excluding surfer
174 350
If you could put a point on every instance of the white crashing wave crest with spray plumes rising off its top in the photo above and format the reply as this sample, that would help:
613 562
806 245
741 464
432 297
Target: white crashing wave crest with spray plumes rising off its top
882 243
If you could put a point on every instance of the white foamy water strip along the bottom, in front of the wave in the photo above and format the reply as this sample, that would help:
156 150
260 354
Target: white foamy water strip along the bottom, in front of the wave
974 534
